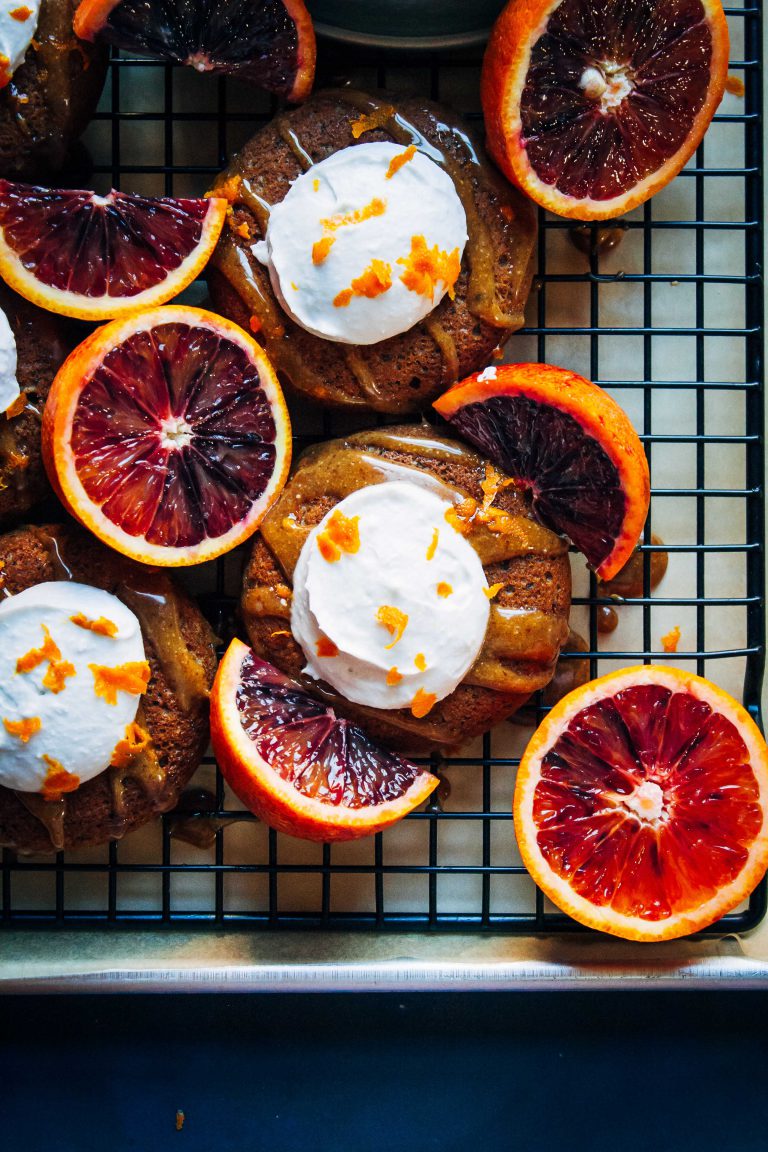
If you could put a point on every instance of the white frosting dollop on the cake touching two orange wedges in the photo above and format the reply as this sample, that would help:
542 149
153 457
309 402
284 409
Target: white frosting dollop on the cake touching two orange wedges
412 560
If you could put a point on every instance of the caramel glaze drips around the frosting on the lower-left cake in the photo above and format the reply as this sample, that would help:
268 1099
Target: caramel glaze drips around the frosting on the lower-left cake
150 596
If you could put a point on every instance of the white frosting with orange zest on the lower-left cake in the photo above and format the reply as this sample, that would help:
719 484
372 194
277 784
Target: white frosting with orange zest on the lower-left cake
79 730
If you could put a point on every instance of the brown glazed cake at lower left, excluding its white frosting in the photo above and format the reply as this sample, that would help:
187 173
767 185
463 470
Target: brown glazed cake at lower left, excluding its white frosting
174 710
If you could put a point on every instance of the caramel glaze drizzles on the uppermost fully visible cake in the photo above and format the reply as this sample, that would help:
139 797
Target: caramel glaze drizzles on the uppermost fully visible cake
252 281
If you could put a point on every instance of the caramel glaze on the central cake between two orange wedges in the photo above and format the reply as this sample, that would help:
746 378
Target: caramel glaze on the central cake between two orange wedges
521 645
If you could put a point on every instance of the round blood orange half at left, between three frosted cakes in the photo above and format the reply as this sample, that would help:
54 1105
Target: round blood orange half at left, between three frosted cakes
168 436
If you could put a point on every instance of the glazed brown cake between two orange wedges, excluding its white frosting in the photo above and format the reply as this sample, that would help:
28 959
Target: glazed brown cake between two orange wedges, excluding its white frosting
529 616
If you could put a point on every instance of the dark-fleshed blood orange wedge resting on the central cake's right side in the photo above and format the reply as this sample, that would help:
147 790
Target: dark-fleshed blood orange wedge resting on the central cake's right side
571 444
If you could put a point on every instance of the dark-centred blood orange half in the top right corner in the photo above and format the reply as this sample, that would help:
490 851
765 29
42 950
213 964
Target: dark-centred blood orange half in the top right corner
592 107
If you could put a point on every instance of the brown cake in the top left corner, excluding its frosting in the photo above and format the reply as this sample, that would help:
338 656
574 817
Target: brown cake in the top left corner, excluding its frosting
51 96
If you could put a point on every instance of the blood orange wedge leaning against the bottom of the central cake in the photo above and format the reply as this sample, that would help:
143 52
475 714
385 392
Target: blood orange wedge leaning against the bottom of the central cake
296 766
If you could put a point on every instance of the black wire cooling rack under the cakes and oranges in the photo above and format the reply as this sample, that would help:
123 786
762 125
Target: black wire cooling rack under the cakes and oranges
671 322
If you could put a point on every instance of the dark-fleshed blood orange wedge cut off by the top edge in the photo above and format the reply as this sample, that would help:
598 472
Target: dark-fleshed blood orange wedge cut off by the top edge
268 43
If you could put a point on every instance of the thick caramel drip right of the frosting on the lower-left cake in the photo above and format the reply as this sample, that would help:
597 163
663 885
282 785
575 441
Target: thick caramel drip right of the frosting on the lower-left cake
158 613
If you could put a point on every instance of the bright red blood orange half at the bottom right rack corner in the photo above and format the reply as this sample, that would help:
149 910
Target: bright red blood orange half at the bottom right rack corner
642 805
